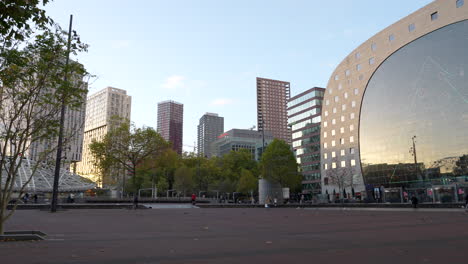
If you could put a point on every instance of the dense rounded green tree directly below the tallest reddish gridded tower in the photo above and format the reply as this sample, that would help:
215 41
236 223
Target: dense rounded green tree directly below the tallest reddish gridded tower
279 165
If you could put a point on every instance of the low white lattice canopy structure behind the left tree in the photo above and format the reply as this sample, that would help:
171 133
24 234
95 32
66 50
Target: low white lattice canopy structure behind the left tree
43 179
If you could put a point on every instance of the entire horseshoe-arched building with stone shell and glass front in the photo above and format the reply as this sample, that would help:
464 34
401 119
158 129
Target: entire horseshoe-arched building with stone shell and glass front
395 117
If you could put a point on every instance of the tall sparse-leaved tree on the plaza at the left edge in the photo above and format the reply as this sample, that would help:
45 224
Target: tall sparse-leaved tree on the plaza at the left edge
31 90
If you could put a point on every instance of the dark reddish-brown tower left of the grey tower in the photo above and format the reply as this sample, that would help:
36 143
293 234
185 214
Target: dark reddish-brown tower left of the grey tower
170 123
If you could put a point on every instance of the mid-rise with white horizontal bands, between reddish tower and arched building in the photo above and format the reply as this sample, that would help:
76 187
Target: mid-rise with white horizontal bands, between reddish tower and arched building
304 118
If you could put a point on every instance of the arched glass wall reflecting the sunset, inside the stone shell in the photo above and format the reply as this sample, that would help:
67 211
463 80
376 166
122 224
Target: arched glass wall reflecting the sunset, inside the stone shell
419 94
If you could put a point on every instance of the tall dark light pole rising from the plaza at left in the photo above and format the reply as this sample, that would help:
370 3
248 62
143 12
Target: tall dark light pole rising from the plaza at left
58 160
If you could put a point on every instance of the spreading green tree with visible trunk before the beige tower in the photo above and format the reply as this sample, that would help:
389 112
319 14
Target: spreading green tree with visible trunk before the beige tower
128 147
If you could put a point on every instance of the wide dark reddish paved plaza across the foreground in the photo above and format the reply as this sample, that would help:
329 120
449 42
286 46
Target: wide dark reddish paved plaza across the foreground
243 235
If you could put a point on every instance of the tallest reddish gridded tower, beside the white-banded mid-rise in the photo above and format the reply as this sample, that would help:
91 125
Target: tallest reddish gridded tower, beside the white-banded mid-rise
272 98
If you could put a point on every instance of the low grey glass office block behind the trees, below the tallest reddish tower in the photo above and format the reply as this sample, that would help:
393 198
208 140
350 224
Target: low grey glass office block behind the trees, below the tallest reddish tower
237 139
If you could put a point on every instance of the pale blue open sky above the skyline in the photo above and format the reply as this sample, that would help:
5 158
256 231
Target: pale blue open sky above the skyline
206 54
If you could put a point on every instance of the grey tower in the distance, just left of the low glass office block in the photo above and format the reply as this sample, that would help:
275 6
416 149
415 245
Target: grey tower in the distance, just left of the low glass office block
210 127
